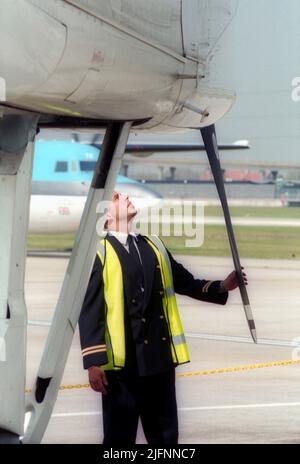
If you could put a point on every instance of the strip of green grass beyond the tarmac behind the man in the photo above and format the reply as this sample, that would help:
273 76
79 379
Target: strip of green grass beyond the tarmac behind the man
253 242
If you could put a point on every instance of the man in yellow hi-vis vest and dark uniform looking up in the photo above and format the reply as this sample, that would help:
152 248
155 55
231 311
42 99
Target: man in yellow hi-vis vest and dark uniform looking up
130 329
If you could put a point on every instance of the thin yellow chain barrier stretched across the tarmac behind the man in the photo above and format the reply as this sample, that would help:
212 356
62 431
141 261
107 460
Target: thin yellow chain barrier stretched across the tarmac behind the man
202 373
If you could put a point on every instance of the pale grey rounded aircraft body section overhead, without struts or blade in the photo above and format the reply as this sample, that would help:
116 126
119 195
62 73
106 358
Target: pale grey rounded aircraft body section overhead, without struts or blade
117 60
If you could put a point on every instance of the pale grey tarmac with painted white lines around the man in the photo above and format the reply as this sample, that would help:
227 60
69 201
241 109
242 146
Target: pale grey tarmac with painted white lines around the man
232 391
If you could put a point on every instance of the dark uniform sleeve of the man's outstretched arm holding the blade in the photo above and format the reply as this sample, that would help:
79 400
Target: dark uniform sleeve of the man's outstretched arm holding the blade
204 290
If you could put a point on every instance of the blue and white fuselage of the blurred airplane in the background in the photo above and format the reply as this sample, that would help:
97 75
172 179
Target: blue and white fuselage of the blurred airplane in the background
61 178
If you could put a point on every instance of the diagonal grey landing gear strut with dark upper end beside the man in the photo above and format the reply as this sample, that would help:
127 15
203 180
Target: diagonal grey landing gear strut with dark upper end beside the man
42 400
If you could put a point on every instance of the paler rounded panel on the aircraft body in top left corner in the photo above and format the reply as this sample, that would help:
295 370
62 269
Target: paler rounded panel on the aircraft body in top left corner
25 68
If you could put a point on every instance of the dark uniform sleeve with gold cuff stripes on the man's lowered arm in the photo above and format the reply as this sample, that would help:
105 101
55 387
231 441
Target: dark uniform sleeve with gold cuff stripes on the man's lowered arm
92 320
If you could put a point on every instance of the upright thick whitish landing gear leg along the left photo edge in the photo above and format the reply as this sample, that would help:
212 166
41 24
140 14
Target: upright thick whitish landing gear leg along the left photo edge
17 133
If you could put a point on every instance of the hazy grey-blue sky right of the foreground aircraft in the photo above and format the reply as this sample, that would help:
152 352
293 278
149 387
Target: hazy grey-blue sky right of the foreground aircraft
267 59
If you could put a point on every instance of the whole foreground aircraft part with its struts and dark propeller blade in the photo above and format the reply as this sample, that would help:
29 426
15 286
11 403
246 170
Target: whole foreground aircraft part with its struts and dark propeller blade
118 65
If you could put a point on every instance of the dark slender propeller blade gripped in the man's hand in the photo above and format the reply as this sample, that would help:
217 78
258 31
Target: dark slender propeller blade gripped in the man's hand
211 146
